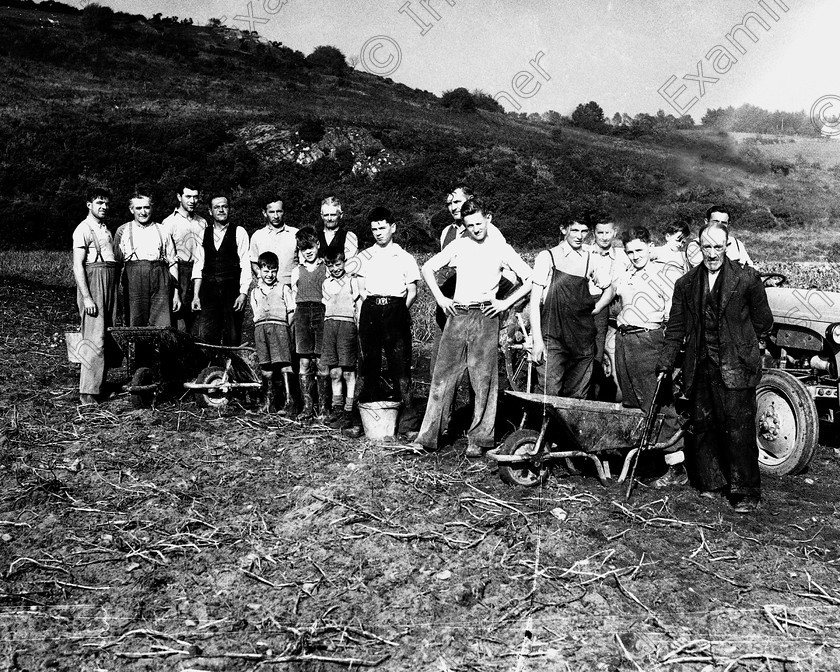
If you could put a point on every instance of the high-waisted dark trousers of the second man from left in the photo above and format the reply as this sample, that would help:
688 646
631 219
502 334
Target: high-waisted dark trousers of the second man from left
148 292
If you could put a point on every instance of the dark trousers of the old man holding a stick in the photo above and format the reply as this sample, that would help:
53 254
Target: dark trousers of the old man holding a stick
722 450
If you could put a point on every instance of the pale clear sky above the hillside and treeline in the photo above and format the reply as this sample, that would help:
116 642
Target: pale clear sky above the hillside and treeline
539 55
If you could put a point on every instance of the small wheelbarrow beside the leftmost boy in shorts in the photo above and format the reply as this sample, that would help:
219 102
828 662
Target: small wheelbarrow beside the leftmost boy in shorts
230 369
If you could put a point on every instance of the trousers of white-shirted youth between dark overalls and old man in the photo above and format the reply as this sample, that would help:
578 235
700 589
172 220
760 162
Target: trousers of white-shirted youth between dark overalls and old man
635 361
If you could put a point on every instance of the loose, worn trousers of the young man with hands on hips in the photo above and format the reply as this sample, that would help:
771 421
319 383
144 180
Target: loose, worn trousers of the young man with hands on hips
469 343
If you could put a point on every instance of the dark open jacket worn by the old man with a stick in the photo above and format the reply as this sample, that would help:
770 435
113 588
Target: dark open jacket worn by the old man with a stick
744 317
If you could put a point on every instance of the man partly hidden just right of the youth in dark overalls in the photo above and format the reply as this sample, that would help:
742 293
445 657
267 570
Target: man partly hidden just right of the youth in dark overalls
609 262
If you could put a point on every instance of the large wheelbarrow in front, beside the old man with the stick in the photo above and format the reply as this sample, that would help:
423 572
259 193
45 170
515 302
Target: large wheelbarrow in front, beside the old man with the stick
575 428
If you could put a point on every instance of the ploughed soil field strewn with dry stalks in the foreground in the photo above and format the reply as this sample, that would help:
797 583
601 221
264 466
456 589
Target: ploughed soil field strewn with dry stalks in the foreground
191 539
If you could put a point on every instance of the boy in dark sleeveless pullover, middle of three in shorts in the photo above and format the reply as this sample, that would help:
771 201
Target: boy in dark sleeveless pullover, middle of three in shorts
307 293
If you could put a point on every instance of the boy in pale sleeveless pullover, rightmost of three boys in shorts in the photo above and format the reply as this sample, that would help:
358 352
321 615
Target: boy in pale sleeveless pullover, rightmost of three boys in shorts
340 349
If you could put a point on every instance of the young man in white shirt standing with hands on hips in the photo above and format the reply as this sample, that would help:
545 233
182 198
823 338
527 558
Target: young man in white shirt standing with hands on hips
471 335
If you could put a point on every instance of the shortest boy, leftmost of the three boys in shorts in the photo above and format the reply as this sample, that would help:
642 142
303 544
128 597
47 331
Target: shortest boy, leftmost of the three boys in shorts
270 303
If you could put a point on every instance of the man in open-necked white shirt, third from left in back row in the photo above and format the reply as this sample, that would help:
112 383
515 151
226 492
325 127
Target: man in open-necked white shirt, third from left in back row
186 227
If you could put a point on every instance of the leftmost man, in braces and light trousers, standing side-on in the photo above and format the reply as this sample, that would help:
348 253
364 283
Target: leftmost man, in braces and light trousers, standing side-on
95 270
